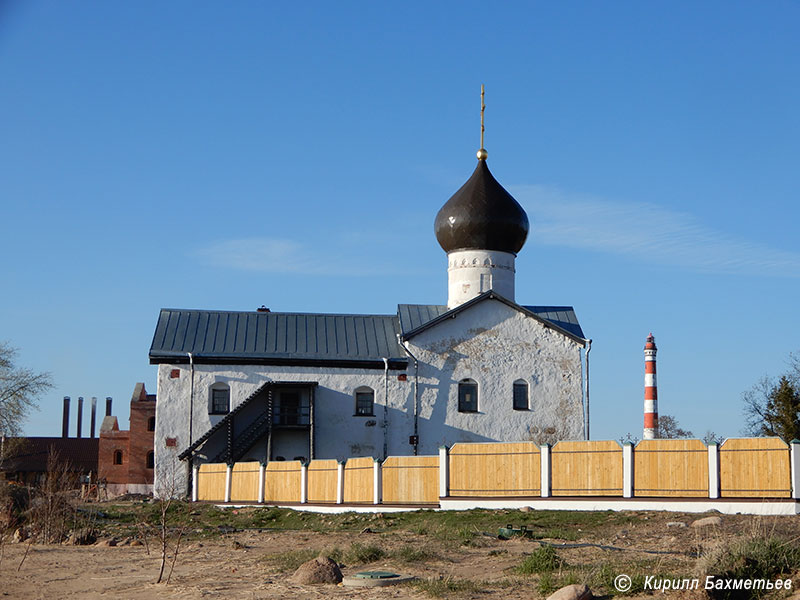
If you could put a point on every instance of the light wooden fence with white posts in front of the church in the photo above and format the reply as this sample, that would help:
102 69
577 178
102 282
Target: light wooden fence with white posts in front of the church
755 468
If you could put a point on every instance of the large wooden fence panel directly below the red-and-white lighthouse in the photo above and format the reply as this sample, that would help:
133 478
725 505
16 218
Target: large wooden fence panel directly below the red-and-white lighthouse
670 468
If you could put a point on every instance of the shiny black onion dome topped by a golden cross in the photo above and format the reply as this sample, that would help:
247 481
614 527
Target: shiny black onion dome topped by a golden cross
482 215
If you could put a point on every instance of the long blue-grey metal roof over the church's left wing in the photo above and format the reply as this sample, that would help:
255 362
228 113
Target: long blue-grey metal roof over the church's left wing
275 337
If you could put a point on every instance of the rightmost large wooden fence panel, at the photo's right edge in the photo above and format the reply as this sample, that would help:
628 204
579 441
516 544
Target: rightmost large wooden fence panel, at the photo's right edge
755 468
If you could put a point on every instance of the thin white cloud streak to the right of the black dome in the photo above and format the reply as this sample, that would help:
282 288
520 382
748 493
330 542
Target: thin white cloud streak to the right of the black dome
647 232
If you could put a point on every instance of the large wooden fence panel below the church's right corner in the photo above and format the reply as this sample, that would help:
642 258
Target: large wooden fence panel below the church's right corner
586 468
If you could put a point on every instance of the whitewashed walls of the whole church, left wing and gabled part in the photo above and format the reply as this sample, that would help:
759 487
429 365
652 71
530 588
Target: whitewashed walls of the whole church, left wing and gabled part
489 342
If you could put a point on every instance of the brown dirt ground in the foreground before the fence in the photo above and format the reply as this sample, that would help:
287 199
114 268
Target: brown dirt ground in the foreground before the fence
237 565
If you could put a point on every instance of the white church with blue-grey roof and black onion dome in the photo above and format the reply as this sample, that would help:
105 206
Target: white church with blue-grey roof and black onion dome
266 386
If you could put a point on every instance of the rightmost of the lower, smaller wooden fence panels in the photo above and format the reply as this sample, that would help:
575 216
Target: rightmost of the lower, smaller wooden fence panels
411 480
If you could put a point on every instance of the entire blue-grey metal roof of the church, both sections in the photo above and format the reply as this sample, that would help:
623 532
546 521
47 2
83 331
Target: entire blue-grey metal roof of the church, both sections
359 341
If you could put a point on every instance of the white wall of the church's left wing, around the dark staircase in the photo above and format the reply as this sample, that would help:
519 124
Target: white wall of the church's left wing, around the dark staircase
338 433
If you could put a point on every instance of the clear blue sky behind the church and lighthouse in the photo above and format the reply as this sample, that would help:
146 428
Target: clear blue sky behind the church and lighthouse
228 155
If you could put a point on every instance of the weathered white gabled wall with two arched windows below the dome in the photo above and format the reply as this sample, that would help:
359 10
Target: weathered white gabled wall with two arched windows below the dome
495 345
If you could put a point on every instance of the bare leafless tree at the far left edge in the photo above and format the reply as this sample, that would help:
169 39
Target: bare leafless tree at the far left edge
19 391
